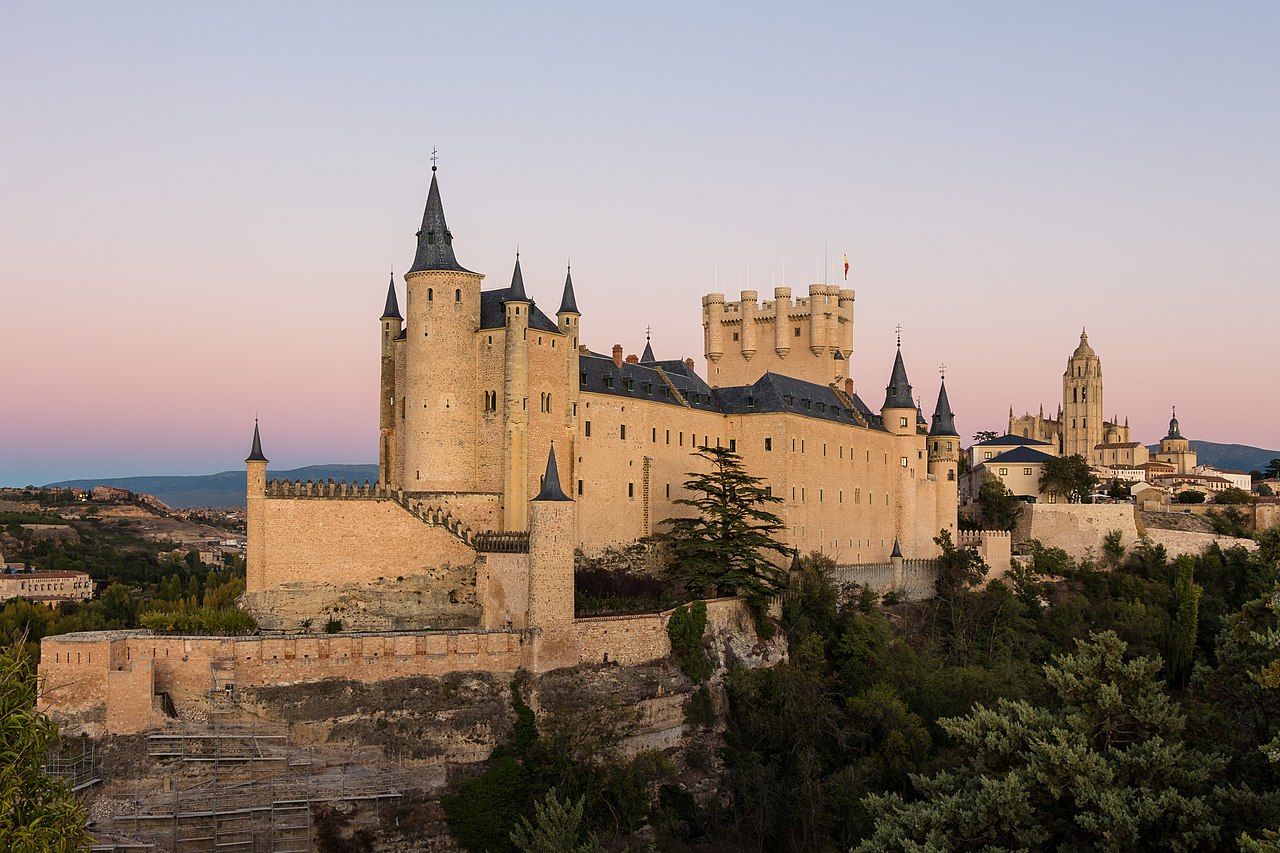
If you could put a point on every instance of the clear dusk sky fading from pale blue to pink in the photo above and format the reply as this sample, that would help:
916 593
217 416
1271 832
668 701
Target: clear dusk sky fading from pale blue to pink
200 203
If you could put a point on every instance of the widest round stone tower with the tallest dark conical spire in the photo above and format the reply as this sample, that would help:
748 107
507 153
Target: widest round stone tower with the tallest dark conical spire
440 405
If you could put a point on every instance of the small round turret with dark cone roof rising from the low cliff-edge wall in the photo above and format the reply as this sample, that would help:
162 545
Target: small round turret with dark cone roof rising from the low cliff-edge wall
551 574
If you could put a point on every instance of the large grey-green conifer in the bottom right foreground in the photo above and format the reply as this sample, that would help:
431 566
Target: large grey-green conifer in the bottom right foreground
1103 769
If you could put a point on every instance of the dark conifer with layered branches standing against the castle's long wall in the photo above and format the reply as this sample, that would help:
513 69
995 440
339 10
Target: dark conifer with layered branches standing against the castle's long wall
729 545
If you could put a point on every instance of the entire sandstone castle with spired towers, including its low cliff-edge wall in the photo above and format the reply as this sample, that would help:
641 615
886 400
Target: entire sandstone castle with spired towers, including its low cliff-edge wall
461 556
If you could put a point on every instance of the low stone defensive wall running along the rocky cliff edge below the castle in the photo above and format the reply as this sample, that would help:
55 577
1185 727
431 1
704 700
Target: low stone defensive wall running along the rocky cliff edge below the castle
125 682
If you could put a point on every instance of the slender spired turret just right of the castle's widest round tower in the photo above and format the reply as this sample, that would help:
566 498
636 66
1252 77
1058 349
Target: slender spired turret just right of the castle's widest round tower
515 492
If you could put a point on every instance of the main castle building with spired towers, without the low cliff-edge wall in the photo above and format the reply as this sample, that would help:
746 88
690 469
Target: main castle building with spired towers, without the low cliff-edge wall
479 386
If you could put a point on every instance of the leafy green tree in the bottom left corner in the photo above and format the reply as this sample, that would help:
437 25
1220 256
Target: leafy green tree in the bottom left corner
38 814
